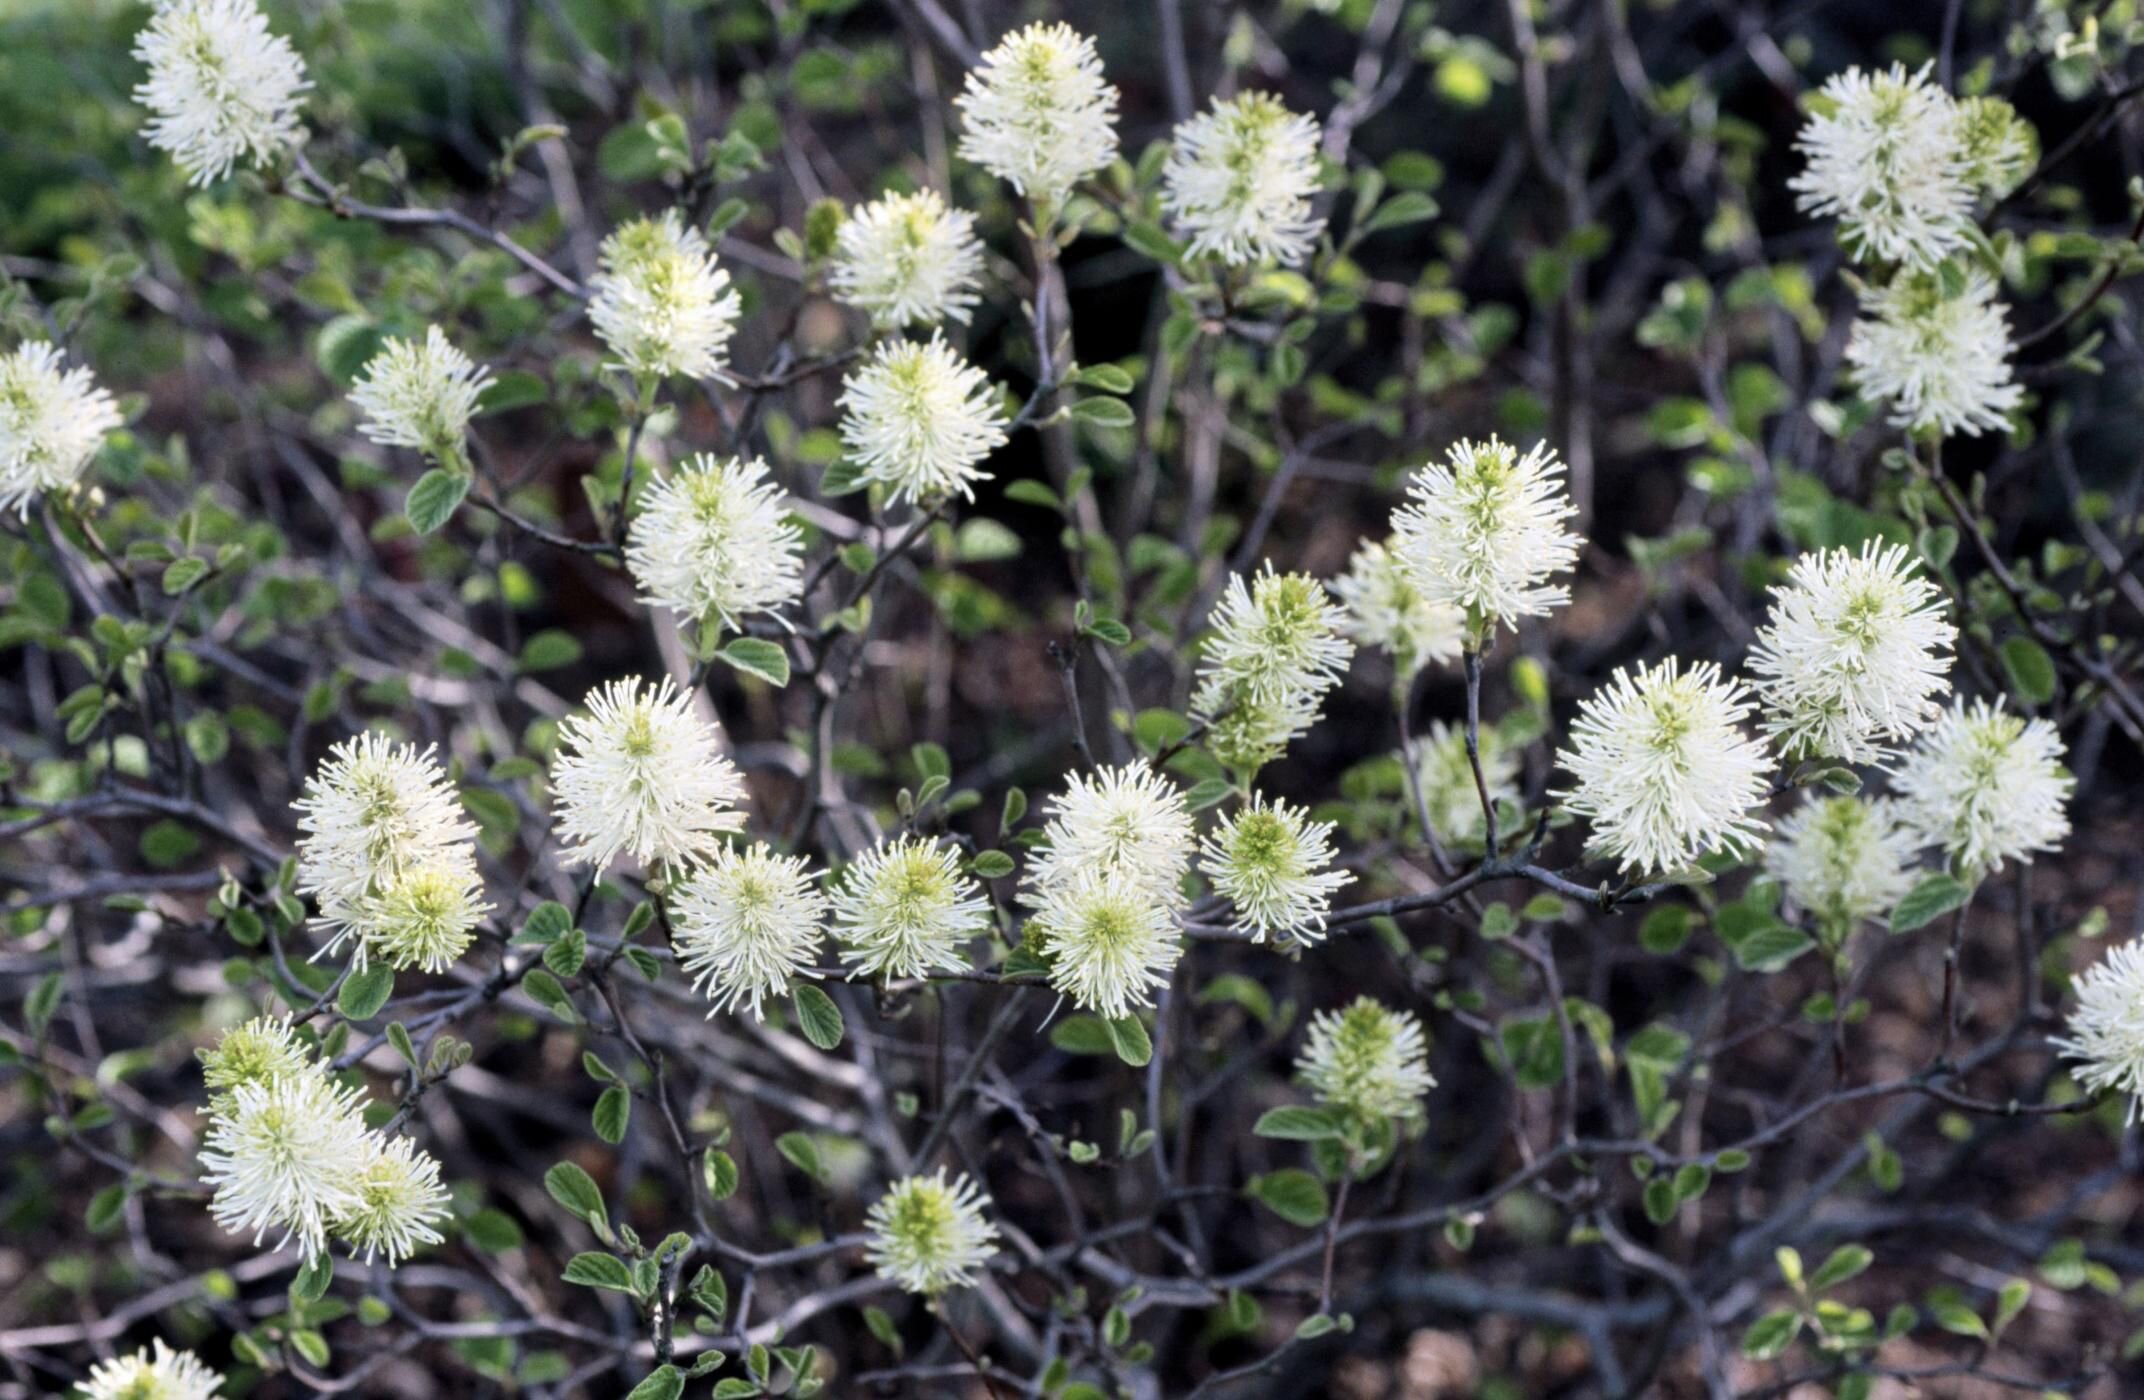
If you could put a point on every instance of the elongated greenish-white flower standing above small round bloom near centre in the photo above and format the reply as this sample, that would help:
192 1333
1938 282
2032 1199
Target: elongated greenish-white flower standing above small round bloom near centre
1275 653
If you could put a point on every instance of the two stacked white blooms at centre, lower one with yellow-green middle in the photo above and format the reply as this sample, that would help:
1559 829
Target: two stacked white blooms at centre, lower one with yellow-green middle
1107 887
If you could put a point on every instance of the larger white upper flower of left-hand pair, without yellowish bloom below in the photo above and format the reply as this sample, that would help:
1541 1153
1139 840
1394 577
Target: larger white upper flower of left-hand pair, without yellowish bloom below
372 814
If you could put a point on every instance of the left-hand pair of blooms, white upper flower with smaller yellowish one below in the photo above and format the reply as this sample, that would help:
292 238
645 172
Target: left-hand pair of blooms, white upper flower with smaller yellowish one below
389 857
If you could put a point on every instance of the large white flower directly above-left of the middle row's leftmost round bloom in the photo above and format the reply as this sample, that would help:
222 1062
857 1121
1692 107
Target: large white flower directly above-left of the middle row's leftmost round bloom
642 775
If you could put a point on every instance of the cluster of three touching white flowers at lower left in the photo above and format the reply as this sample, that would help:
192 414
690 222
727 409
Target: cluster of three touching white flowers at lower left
288 1150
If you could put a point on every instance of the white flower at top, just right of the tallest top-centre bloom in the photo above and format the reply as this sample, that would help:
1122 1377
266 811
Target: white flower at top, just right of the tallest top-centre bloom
1240 181
